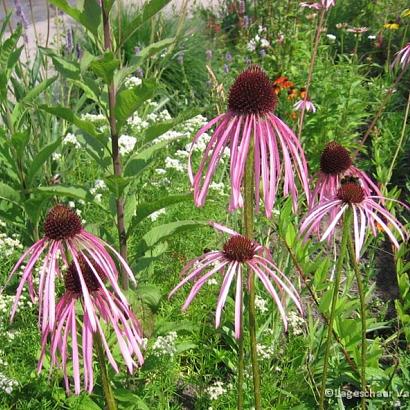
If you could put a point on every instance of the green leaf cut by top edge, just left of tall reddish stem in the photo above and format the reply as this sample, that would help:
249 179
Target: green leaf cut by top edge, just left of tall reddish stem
89 16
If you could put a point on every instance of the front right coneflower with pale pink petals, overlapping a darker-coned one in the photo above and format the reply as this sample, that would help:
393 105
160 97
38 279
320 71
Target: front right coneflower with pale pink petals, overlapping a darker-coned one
368 214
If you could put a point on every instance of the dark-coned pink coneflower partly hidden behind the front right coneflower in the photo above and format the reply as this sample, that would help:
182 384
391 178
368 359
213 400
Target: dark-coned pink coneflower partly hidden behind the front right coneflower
335 166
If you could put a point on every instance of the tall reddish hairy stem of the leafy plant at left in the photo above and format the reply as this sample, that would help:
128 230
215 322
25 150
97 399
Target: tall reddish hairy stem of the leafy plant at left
116 158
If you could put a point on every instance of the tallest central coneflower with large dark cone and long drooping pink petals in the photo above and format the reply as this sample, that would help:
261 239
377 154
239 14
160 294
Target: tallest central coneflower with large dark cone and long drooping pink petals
250 119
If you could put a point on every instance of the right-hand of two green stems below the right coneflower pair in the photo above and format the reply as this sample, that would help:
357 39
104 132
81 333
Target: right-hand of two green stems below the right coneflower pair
363 320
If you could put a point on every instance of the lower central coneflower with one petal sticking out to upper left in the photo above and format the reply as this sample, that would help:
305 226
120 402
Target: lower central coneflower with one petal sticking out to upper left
239 253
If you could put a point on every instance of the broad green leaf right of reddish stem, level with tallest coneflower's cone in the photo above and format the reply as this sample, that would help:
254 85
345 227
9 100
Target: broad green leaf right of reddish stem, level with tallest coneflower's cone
129 100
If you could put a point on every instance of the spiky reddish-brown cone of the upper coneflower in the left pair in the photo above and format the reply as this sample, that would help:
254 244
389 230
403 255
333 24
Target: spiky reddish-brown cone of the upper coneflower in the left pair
62 223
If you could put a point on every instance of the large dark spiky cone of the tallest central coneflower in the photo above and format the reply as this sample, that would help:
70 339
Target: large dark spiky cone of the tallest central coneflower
252 93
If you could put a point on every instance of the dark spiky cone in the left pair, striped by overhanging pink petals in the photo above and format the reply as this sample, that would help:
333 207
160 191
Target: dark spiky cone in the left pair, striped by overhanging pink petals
72 281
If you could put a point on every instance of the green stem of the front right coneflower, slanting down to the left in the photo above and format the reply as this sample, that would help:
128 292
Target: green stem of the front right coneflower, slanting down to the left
343 248
